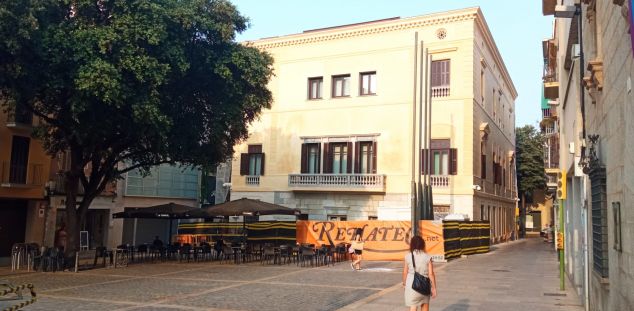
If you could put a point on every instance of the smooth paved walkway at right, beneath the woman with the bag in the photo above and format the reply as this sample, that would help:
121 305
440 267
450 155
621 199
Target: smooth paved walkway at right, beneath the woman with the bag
519 275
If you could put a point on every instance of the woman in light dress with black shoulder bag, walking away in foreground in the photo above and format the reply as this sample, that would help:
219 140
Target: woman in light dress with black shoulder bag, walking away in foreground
422 264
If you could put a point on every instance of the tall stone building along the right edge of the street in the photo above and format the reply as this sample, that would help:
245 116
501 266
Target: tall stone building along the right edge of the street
592 93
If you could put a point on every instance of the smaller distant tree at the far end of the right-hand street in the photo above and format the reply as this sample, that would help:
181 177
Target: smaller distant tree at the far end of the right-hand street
531 175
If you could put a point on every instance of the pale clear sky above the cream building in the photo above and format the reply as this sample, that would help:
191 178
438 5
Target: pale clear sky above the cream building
518 28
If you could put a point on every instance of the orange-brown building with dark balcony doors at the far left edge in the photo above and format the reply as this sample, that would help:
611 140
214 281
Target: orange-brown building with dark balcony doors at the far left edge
24 169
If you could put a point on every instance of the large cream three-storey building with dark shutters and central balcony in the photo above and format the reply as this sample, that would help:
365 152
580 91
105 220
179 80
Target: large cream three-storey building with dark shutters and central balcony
337 141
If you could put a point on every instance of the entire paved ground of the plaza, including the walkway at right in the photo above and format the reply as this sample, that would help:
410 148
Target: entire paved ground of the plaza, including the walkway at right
520 275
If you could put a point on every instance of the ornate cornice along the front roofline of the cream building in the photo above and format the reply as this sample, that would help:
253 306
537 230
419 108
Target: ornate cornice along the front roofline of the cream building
362 30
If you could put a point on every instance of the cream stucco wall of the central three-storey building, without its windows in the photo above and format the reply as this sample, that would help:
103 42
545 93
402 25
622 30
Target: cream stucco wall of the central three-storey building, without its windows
388 48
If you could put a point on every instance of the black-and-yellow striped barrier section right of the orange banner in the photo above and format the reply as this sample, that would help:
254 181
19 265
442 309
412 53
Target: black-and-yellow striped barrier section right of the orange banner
466 238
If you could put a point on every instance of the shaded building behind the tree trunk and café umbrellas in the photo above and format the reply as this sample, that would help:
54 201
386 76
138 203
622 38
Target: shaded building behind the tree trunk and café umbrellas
163 185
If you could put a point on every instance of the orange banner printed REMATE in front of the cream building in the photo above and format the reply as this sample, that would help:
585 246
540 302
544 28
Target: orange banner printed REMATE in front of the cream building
384 240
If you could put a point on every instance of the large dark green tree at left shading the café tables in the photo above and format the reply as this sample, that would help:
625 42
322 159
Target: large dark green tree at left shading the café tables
140 82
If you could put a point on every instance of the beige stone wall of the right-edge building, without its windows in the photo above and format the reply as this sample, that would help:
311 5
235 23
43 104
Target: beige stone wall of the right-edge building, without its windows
609 114
